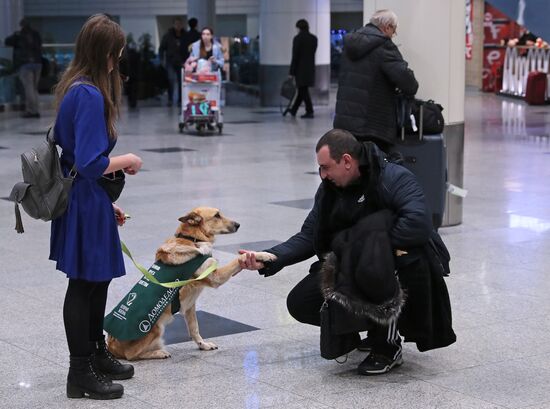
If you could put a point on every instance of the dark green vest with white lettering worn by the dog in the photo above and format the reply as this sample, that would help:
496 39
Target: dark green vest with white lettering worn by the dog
139 310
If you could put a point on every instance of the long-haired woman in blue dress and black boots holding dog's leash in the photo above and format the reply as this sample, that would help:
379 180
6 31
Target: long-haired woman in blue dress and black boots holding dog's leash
84 241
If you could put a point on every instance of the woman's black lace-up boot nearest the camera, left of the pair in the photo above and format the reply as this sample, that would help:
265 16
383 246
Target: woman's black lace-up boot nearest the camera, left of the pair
84 380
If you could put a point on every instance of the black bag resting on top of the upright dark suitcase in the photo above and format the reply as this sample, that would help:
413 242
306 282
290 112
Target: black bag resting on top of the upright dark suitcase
408 116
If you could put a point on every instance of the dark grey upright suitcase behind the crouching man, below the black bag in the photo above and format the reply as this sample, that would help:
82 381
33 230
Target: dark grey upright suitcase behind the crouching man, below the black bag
426 157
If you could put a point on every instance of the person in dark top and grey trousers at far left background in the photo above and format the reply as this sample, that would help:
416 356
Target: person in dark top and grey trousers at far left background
27 59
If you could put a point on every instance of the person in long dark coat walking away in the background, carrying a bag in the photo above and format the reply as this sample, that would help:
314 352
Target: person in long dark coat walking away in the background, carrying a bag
302 67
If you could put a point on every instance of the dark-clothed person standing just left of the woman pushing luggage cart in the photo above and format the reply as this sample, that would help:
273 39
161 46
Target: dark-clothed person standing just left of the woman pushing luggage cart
172 51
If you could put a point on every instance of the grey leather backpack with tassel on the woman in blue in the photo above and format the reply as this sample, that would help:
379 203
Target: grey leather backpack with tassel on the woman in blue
44 192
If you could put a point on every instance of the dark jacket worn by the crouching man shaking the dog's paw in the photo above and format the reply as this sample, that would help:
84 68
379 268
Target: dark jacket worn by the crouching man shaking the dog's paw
395 189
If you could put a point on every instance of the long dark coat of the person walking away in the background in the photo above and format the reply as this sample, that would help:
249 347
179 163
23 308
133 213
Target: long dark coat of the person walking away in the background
302 66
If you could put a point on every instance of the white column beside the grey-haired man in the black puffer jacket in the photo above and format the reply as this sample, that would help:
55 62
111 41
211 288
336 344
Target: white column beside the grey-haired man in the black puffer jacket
431 37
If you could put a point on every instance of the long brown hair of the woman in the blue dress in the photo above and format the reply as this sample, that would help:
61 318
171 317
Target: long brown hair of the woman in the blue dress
99 40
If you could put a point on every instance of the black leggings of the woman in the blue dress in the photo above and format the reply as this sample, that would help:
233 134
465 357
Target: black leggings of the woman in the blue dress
83 313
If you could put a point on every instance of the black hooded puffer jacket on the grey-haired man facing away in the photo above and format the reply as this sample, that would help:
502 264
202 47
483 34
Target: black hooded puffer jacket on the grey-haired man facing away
372 70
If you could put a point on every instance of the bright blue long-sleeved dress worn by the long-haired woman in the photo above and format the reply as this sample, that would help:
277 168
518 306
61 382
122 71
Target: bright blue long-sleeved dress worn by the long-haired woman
84 240
